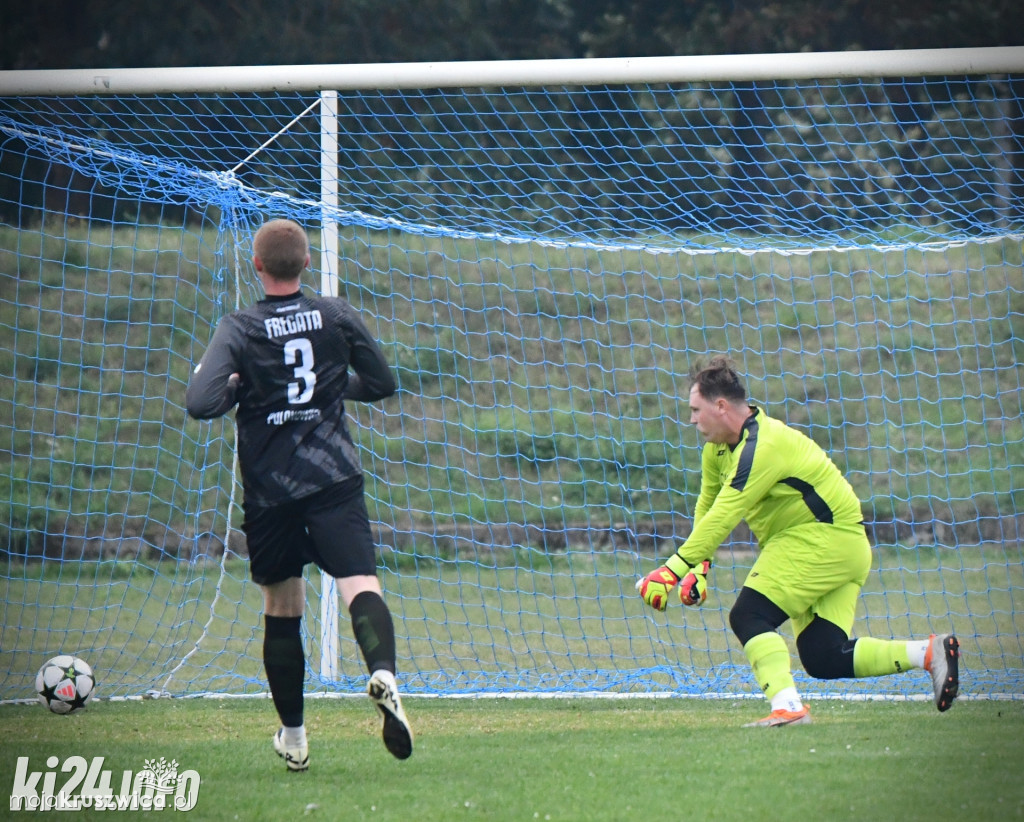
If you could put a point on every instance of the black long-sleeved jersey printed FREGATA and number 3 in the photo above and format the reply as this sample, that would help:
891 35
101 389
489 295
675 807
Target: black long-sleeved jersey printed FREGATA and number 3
293 355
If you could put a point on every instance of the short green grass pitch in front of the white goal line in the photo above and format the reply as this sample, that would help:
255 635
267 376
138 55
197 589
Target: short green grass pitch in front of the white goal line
581 759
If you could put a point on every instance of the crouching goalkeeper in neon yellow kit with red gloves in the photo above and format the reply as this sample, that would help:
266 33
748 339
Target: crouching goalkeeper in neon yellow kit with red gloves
815 555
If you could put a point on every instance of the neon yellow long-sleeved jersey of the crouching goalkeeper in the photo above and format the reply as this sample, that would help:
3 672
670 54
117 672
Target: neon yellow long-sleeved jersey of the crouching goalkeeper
775 479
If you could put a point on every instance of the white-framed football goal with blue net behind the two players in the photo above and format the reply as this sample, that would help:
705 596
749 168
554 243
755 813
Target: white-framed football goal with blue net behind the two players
543 250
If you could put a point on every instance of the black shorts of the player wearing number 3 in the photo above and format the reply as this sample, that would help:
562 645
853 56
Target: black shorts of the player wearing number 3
330 529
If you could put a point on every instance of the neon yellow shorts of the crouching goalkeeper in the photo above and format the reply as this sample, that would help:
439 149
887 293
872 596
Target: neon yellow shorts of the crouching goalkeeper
815 570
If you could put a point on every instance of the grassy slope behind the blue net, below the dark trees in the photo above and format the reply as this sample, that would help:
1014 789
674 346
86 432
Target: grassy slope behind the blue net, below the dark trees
543 390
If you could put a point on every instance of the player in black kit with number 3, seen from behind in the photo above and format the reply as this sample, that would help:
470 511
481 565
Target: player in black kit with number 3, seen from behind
290 362
